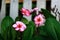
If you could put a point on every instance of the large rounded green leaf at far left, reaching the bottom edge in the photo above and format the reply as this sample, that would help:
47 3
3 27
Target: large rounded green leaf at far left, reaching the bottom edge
6 27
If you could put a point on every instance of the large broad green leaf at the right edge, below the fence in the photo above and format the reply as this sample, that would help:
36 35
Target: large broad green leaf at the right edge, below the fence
52 28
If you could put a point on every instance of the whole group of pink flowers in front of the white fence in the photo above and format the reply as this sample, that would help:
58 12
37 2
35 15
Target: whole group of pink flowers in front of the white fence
39 20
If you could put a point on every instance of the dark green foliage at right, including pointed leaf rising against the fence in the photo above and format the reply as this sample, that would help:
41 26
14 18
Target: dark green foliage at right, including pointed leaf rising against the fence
52 27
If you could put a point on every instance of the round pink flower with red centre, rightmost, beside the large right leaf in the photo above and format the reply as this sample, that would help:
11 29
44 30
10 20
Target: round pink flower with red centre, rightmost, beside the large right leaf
39 20
